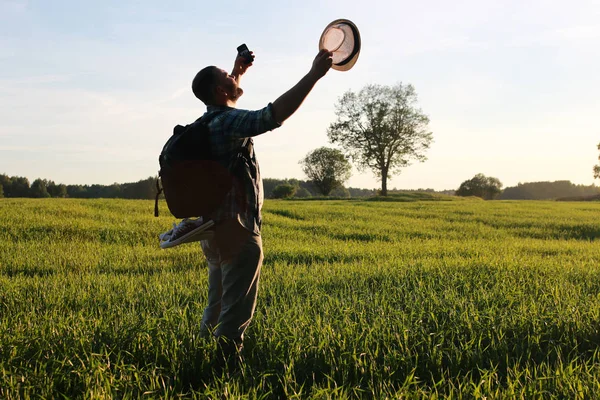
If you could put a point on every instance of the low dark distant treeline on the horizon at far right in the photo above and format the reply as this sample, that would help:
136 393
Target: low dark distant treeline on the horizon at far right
547 191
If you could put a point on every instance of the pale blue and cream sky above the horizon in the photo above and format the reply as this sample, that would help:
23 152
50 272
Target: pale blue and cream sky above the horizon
90 90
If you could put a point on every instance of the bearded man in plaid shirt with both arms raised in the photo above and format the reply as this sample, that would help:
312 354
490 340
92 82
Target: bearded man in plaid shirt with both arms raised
235 253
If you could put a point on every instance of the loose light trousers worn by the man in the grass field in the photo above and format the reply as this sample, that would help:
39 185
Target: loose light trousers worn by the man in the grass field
234 258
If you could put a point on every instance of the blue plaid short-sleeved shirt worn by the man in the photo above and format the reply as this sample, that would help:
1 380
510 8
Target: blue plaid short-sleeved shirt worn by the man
228 131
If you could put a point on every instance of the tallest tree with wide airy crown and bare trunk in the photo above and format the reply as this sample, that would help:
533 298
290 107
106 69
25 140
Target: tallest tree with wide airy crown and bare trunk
381 129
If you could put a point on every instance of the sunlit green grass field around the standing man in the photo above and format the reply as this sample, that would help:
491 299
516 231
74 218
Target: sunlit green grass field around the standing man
372 299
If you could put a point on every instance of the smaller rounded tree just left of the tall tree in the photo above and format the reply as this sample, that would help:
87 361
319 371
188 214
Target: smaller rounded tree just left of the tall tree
327 168
